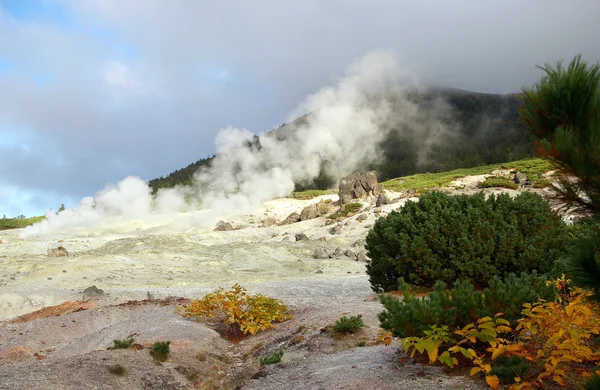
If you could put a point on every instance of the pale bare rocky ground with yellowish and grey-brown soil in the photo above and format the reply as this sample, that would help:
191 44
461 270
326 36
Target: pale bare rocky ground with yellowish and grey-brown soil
154 262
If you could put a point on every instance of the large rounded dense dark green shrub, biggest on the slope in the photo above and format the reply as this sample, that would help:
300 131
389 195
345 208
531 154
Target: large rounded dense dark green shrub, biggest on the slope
467 237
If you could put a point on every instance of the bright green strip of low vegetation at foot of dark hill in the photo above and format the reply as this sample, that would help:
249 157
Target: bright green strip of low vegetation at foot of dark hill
533 168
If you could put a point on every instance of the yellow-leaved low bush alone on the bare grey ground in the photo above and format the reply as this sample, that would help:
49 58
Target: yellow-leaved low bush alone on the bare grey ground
235 312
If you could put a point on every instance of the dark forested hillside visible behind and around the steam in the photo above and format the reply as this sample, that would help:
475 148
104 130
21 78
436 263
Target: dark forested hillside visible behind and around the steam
475 129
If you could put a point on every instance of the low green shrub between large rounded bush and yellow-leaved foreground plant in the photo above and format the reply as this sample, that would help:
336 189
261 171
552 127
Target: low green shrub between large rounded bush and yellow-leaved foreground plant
462 305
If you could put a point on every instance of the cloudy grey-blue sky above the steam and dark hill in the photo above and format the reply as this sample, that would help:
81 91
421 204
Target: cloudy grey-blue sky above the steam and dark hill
92 91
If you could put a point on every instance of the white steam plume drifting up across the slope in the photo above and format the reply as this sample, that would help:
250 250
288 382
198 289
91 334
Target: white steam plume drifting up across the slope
342 130
